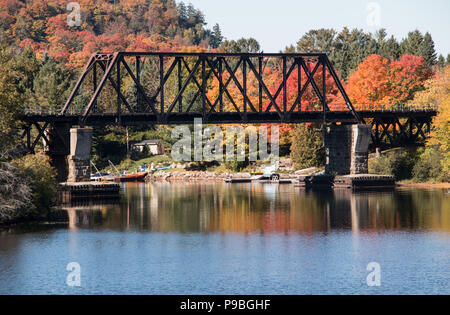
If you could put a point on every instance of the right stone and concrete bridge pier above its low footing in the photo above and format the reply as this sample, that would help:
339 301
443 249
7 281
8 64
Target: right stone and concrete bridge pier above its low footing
347 149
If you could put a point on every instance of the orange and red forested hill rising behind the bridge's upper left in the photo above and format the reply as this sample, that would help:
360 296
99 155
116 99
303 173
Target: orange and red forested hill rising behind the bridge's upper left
106 26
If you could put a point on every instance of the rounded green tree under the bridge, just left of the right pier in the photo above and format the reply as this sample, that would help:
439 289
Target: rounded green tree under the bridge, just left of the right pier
307 148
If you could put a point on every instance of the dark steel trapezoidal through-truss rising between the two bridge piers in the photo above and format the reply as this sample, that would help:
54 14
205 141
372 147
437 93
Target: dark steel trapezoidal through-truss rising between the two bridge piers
188 77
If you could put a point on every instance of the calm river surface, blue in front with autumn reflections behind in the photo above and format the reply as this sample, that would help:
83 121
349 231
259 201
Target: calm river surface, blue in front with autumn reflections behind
237 239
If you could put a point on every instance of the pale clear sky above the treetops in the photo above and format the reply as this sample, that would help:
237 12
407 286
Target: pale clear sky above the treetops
279 23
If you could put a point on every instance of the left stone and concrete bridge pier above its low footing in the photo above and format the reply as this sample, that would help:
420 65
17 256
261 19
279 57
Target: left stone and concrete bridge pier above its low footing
79 168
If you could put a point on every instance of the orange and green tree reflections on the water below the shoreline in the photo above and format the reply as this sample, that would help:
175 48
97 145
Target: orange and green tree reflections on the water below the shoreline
206 207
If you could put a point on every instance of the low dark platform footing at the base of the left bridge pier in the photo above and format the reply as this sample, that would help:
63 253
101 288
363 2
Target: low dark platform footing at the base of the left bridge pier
74 192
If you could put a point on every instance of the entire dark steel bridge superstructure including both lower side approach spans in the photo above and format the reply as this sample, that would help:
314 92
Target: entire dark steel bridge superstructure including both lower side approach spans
113 89
